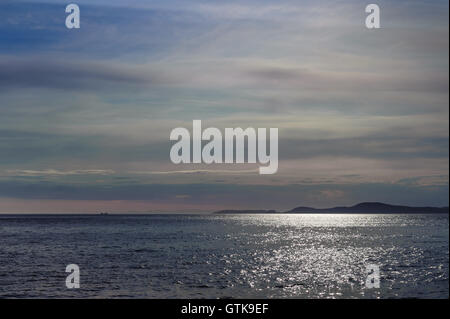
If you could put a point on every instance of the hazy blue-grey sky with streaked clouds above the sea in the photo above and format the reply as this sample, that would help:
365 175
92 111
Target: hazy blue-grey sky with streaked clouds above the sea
86 114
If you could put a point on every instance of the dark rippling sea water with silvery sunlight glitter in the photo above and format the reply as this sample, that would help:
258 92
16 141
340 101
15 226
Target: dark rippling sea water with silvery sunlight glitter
224 256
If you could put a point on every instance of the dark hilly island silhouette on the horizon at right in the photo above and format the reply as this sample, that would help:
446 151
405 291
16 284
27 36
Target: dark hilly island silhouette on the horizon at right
361 208
